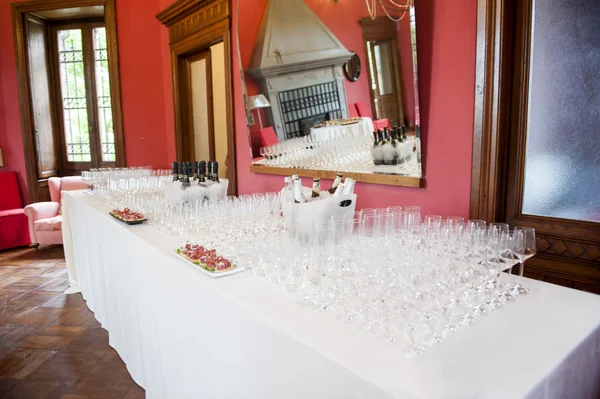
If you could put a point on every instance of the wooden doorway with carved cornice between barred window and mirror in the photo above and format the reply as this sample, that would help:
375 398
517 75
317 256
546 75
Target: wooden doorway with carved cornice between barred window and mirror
200 44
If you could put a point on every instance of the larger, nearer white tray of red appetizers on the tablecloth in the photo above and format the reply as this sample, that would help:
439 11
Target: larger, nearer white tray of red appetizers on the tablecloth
207 260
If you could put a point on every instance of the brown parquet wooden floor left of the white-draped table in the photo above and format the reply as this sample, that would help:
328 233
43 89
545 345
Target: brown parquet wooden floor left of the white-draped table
51 346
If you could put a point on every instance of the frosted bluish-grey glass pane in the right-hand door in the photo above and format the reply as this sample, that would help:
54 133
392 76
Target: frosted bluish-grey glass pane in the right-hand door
562 159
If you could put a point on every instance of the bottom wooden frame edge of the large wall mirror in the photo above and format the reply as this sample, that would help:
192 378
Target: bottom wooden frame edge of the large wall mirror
388 180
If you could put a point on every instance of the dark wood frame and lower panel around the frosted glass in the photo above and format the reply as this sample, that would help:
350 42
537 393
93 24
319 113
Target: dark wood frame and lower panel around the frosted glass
568 251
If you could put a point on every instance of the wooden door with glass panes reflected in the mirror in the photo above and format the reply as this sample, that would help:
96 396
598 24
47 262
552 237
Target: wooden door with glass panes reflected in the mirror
383 77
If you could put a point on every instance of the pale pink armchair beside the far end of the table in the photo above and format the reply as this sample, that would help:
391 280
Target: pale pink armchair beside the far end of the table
45 220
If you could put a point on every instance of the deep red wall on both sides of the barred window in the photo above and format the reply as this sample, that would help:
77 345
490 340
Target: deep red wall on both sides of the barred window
142 88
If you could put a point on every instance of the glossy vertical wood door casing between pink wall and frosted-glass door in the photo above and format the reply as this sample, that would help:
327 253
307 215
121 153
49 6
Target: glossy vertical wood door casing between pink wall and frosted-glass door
495 19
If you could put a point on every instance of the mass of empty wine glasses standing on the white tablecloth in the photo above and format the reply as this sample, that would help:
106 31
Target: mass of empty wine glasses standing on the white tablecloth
411 280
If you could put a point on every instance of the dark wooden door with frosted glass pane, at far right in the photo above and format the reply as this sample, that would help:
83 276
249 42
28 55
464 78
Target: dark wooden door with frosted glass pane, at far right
553 181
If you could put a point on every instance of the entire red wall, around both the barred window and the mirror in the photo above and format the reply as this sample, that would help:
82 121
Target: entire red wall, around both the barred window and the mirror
446 46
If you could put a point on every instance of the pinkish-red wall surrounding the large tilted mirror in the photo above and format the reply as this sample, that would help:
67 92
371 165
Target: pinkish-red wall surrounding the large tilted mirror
446 34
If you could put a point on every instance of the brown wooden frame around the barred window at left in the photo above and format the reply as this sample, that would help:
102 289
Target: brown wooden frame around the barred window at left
18 11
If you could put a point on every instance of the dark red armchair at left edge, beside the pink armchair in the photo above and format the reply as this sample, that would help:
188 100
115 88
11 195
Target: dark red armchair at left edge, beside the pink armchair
14 230
